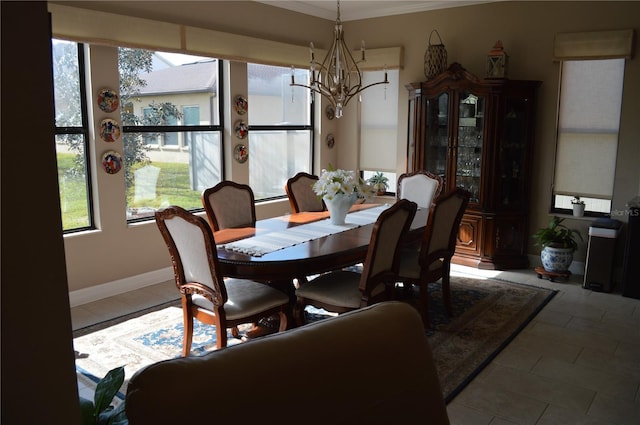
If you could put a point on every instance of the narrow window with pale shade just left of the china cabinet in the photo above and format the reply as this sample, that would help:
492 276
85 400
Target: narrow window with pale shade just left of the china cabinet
379 117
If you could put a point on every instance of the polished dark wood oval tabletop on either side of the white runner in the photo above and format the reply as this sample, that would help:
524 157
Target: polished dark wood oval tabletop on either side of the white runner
316 256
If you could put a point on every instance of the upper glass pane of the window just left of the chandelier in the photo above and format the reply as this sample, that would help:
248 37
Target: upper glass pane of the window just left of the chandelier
272 101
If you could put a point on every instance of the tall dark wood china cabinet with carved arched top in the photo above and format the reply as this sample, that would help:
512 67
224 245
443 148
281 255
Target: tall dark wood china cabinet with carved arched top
478 134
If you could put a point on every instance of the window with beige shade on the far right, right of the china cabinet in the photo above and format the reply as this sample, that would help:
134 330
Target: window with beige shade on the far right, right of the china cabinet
588 126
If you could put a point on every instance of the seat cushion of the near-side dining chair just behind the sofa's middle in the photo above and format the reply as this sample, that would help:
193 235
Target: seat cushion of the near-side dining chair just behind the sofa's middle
339 288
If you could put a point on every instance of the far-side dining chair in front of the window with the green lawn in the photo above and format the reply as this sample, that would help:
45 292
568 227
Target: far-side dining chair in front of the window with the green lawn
229 204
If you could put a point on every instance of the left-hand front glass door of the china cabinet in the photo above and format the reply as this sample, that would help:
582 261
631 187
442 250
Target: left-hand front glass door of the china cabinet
437 128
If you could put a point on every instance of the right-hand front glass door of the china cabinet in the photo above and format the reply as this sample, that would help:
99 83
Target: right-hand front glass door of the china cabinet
470 142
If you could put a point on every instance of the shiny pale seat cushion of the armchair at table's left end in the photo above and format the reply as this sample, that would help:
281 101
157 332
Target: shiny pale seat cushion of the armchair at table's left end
245 298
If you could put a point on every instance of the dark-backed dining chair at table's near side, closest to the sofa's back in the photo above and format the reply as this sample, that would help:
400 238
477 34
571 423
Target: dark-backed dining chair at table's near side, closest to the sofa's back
344 290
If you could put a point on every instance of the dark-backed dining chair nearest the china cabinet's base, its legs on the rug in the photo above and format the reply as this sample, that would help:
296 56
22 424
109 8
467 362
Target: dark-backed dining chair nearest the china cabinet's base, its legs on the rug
430 260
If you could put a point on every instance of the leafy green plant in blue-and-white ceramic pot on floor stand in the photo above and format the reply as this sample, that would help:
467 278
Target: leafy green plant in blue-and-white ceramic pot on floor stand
558 245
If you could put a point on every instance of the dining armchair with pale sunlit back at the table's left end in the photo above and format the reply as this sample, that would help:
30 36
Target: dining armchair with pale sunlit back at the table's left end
206 295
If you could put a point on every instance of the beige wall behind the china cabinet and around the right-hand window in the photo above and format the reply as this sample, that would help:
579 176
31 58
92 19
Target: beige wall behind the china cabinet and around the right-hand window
527 31
